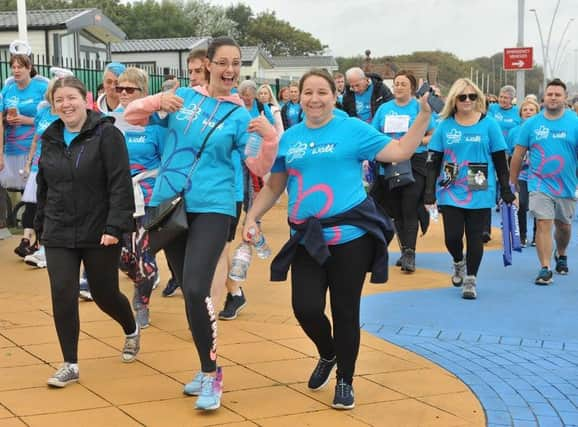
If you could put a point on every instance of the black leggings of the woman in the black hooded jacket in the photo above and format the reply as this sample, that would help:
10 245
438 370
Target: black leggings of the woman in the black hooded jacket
101 266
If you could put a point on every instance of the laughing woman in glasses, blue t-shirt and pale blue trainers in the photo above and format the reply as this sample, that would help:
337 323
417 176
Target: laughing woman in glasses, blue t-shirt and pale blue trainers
208 182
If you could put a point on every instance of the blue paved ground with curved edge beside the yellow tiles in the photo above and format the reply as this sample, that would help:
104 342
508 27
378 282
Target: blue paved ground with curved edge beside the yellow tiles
516 346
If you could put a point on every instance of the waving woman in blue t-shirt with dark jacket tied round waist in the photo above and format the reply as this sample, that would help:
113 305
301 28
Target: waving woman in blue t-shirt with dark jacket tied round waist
337 232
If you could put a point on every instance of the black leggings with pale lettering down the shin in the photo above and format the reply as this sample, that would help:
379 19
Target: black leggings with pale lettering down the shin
194 258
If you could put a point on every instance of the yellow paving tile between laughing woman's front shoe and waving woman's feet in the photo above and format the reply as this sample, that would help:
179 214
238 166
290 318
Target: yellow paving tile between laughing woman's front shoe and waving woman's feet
269 402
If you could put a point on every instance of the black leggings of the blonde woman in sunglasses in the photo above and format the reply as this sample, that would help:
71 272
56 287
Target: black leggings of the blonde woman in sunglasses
473 222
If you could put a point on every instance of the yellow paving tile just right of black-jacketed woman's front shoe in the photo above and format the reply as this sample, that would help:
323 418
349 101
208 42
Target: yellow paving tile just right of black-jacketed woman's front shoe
91 370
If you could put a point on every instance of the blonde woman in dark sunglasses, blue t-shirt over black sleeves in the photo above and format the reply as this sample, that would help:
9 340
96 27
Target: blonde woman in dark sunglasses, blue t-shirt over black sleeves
468 148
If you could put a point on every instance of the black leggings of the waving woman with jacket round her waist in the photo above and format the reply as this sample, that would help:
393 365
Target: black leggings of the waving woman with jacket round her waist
343 274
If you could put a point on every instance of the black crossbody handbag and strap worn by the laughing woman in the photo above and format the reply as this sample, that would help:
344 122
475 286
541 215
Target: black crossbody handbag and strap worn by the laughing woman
168 220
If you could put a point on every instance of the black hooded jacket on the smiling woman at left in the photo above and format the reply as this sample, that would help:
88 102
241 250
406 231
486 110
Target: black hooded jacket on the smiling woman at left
84 190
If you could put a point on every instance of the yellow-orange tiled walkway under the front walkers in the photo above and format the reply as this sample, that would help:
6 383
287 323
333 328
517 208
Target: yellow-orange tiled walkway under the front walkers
265 355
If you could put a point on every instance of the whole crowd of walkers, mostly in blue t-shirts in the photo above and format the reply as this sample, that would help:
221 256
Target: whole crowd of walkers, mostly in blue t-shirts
360 164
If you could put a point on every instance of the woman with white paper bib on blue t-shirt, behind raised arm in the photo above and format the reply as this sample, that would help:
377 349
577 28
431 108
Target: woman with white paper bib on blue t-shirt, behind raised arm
403 204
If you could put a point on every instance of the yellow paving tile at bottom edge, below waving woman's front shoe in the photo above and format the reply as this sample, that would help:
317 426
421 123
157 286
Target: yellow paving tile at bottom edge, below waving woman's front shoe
325 418
